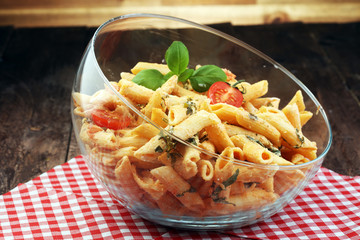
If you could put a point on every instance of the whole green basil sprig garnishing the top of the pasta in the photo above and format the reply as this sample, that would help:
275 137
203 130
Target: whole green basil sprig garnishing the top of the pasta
177 59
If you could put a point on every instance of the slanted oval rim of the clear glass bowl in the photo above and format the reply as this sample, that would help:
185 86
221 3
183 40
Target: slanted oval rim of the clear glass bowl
236 41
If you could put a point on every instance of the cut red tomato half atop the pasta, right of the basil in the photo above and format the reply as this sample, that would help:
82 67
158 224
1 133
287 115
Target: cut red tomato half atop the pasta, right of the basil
222 92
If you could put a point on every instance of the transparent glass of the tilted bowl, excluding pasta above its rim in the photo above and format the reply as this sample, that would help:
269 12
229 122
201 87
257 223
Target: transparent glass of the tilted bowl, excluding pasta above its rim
116 47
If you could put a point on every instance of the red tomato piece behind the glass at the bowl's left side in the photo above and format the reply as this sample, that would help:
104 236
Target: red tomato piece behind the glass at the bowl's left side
109 119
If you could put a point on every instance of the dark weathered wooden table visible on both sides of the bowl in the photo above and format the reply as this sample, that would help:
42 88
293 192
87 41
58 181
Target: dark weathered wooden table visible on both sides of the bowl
38 65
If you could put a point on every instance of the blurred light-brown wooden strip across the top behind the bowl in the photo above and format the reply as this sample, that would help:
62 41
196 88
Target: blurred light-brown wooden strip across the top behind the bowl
40 13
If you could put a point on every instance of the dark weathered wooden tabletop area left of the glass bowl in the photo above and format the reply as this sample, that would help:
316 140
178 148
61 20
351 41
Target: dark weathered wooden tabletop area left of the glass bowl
36 76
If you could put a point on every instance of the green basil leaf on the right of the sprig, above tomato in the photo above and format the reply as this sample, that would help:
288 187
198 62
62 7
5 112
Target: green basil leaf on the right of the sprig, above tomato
205 76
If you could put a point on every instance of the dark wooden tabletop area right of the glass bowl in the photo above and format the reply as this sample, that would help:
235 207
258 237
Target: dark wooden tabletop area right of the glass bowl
304 54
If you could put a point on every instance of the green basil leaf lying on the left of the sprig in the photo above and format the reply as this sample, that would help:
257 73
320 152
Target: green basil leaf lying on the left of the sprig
150 78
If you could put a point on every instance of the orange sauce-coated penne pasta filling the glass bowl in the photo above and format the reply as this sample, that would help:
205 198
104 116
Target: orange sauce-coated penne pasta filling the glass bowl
151 168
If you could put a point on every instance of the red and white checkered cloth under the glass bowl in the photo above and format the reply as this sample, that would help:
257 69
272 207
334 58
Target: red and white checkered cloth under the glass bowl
68 203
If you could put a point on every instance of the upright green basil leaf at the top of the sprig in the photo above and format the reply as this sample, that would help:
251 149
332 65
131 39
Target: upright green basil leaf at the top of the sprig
177 57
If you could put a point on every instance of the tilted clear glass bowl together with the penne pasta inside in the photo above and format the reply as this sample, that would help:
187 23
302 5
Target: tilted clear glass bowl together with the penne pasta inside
187 174
